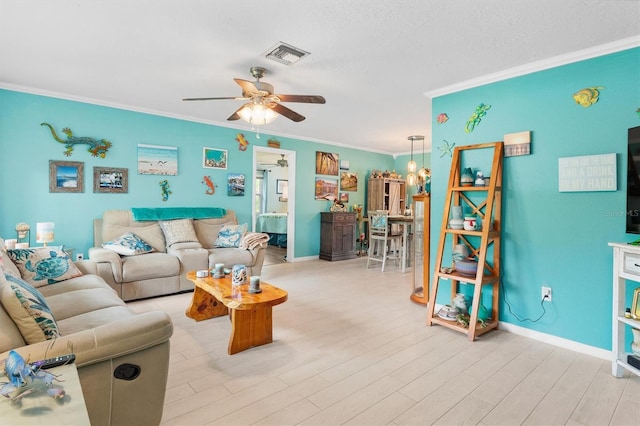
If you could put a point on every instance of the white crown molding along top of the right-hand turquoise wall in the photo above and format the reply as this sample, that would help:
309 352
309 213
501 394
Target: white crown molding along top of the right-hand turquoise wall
556 61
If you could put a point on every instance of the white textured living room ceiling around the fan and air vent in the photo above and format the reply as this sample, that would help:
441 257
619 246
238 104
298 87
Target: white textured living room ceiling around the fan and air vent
373 60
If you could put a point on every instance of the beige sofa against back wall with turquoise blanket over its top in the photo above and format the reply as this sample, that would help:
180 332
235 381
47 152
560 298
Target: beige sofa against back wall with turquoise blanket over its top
163 271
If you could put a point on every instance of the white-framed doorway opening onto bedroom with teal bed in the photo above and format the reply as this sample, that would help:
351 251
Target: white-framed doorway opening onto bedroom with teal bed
273 196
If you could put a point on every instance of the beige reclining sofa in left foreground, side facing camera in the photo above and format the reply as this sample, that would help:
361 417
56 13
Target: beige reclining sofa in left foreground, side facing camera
104 334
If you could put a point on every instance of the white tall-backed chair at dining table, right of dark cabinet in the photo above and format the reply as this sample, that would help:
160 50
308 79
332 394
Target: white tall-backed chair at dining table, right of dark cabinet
383 244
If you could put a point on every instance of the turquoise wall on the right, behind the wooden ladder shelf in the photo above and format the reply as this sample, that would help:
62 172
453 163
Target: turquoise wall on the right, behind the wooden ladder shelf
552 237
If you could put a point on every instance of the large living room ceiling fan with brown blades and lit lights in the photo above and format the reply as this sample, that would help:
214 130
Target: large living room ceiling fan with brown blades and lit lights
263 103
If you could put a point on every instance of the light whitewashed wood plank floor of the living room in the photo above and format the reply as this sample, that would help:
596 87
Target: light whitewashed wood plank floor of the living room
351 348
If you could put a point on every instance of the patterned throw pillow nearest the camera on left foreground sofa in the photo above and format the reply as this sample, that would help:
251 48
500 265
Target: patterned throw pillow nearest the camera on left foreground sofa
28 310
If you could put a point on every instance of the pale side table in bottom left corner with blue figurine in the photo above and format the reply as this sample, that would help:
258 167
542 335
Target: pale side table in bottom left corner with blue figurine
39 408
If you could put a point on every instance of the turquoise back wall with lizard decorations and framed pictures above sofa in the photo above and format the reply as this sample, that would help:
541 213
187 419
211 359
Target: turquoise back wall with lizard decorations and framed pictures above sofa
27 148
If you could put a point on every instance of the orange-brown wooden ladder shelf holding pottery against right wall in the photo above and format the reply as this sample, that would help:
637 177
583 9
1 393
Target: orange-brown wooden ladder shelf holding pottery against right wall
485 202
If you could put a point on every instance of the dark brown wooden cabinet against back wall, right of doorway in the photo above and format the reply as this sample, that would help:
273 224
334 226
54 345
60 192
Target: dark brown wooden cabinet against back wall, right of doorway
338 234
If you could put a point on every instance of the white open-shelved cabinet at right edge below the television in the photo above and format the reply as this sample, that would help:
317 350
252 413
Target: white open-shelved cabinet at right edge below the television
626 266
